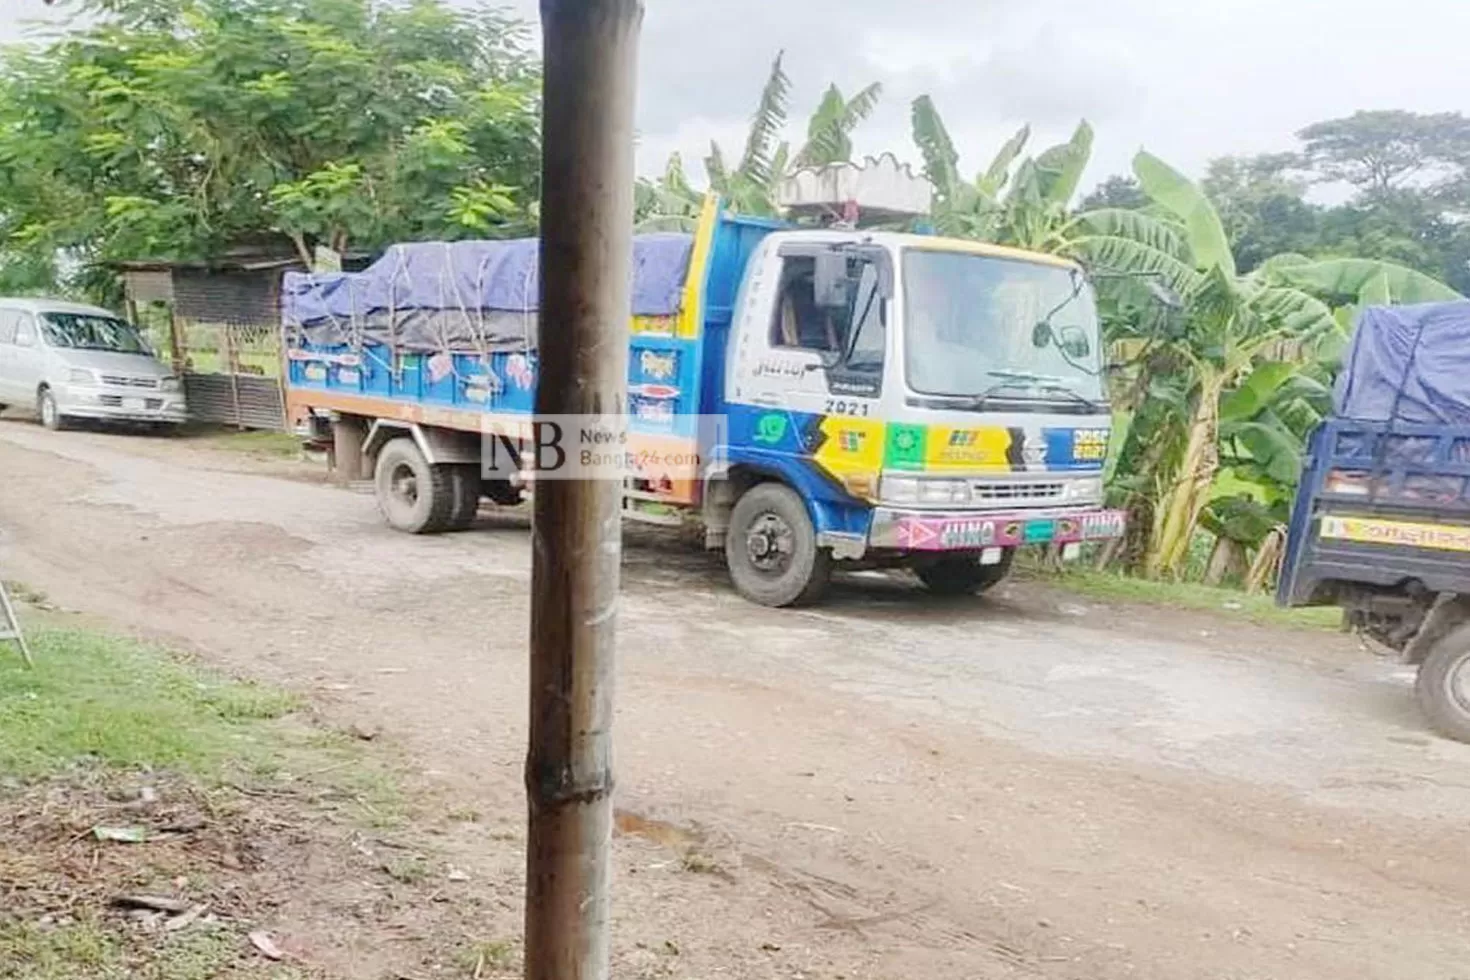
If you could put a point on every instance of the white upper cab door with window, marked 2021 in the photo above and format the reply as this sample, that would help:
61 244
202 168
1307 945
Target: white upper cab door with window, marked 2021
815 356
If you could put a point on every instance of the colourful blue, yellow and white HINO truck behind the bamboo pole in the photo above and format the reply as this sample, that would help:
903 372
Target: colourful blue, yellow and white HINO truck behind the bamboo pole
883 399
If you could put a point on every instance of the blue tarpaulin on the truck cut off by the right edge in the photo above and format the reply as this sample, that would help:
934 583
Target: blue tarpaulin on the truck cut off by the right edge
1409 364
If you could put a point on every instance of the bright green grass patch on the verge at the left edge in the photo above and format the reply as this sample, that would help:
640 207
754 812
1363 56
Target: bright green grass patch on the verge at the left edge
117 703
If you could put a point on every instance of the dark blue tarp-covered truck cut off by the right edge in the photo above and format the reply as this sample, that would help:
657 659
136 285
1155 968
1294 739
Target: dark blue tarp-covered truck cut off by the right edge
1381 524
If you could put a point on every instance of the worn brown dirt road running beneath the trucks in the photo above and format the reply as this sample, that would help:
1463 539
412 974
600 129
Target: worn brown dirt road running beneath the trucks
887 787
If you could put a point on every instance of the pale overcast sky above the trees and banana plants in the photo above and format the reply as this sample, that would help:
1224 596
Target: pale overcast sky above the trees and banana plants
1187 79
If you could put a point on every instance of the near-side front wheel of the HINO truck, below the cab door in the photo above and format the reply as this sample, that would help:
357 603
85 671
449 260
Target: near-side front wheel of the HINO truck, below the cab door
772 549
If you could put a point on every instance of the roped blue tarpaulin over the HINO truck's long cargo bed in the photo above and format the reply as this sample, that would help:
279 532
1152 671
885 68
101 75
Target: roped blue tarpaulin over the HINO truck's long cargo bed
461 296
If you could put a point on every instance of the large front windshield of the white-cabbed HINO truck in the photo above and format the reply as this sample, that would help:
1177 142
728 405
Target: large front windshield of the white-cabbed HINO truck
972 328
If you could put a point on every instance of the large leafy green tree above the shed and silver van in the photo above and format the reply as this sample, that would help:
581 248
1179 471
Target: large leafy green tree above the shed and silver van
177 129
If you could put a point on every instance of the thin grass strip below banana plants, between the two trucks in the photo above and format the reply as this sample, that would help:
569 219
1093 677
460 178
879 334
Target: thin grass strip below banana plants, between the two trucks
1191 596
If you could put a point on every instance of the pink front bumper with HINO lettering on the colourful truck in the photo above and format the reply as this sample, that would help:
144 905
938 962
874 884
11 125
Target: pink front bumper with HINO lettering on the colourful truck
950 531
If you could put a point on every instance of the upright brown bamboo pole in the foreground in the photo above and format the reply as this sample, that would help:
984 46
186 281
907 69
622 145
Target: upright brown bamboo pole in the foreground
590 68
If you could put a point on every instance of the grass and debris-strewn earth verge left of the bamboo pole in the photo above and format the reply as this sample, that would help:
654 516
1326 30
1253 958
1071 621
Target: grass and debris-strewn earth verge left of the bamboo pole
161 822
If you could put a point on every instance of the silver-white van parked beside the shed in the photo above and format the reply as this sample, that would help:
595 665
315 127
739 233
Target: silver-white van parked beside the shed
82 362
